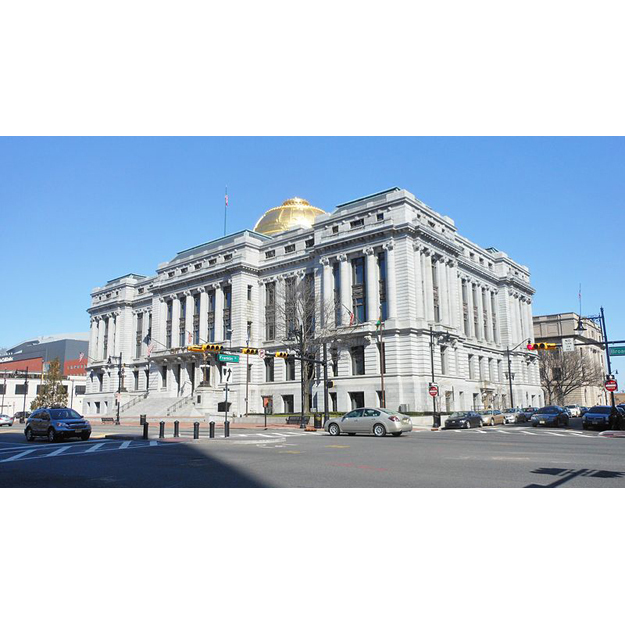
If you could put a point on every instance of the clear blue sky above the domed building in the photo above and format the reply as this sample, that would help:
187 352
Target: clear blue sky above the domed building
79 211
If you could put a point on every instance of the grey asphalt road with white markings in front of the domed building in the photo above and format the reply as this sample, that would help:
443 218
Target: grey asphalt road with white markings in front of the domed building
499 457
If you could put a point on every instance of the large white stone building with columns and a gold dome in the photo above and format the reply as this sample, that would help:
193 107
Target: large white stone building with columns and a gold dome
387 255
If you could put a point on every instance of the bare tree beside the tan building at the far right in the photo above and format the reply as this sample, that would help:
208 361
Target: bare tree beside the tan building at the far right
564 373
